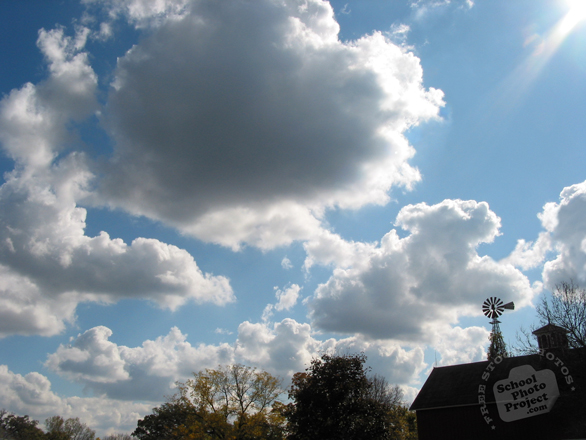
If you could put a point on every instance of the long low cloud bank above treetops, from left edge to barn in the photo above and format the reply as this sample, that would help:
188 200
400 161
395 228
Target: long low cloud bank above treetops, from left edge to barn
117 374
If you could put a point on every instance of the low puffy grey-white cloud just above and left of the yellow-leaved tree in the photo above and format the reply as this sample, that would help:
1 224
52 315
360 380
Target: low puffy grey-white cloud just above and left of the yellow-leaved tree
133 373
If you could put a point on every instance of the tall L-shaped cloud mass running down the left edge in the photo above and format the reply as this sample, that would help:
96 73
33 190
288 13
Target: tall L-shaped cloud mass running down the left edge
48 263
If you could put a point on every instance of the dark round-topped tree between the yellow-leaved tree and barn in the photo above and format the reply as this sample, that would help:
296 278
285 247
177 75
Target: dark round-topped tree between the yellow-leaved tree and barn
334 399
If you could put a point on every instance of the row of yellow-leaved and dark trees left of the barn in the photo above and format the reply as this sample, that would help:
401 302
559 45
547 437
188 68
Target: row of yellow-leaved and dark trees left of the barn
333 399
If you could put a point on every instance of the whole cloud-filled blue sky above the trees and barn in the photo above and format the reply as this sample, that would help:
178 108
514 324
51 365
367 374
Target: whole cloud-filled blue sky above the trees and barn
193 183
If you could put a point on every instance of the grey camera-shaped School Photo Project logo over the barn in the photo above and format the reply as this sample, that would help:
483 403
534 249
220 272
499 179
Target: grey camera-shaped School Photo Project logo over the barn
525 393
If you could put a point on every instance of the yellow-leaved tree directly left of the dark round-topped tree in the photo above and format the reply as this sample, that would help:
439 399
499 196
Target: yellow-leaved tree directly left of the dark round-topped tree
233 402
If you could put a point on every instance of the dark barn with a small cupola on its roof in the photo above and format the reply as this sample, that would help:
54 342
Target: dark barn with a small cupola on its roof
539 396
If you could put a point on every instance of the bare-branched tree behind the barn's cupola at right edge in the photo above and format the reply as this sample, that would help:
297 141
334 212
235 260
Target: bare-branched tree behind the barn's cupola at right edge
565 307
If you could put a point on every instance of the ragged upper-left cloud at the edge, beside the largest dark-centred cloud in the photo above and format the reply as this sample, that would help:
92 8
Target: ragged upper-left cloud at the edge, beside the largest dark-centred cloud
33 119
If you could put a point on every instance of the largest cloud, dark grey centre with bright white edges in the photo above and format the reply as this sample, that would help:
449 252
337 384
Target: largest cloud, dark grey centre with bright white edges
241 121
